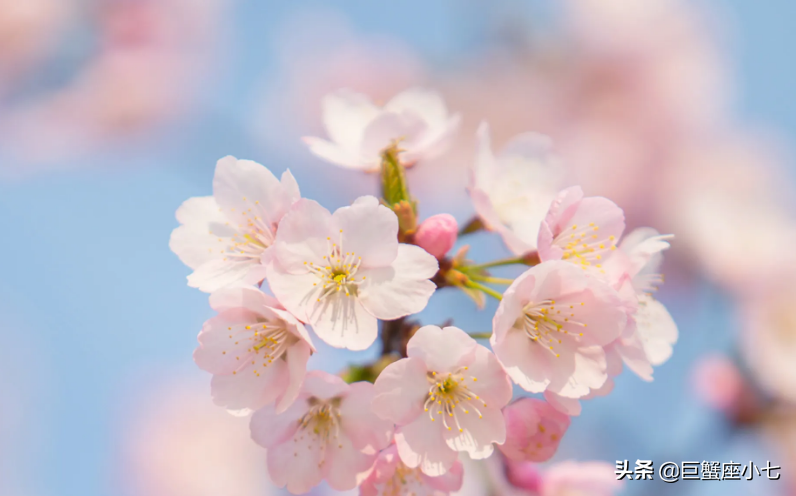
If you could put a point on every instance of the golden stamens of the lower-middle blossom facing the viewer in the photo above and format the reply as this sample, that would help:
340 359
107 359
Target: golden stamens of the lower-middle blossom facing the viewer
450 396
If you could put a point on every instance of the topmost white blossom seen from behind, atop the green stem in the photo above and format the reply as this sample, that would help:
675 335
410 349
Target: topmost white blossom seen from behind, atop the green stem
360 130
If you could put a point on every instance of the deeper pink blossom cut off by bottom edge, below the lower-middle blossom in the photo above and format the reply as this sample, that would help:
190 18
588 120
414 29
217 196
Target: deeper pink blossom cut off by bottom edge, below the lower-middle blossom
391 477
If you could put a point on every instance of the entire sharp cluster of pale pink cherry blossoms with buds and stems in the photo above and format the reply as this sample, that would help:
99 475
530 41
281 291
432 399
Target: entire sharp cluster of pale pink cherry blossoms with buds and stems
283 271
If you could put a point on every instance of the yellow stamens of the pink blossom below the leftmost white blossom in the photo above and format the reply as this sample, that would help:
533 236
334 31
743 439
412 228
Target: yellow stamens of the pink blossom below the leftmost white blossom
269 341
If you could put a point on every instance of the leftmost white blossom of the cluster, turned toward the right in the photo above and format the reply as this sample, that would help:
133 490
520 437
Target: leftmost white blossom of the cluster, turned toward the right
223 237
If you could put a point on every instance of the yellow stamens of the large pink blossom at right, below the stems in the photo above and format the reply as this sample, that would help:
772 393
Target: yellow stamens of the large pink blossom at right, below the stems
544 322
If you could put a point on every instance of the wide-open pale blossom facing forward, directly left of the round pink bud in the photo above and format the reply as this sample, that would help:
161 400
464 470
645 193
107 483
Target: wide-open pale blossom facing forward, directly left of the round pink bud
341 272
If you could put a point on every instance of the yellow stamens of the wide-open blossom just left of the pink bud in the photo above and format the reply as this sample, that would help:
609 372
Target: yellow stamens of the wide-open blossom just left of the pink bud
338 274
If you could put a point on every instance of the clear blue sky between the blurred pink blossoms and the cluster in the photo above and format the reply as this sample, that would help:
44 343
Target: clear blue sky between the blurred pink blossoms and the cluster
91 298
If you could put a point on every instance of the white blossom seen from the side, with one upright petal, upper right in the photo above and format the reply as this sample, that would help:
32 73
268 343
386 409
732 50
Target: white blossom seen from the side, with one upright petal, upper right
513 191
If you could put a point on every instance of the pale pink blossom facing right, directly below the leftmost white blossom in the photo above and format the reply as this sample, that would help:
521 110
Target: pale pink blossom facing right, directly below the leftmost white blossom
256 351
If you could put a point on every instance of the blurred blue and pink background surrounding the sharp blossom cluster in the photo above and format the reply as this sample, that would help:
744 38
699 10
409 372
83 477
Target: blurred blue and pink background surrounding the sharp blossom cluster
112 112
